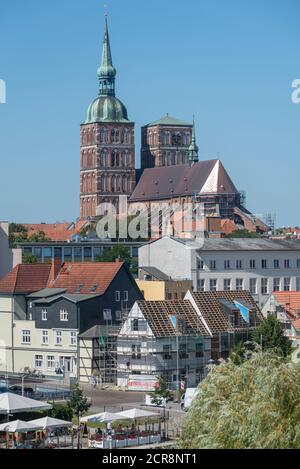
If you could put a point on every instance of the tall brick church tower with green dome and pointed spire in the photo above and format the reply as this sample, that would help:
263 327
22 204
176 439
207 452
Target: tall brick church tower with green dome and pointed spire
107 149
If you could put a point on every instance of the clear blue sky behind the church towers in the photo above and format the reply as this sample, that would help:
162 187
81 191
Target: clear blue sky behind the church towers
229 62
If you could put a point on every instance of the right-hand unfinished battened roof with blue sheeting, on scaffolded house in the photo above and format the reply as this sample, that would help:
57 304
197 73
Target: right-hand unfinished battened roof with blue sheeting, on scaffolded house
213 306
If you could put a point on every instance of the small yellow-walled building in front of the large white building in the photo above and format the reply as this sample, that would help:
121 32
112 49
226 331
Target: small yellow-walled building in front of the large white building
157 286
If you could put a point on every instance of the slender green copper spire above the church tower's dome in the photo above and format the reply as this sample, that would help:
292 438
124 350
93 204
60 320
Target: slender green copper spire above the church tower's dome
106 71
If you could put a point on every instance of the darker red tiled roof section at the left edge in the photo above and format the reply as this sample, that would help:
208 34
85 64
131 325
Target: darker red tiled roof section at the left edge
25 278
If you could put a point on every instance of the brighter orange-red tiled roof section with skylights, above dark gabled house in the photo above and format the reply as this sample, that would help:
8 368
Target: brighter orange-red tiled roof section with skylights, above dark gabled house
84 277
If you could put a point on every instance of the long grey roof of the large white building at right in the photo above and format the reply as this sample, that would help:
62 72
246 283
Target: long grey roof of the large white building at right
242 244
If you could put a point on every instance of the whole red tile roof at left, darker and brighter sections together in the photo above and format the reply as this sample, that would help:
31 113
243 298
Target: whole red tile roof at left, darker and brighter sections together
92 277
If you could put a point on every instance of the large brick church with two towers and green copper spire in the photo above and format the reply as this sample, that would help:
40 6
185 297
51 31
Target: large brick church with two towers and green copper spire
170 167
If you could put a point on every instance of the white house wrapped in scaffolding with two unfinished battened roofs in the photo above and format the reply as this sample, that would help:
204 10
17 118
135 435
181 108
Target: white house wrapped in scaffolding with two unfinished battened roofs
177 339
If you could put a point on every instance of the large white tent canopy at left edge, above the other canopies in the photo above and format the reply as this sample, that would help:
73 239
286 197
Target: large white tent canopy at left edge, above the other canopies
13 403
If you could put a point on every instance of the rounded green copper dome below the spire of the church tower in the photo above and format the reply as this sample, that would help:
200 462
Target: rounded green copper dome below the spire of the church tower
106 109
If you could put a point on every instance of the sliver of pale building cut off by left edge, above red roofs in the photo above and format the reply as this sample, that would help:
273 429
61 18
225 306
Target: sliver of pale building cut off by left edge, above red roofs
9 258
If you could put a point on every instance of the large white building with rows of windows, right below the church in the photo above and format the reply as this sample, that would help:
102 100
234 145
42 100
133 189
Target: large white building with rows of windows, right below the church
260 266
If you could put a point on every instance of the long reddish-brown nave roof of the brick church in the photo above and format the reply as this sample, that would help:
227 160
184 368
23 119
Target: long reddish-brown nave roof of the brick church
165 182
